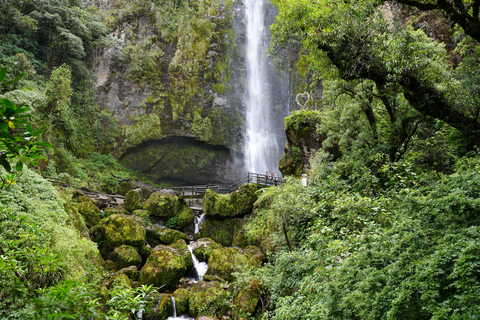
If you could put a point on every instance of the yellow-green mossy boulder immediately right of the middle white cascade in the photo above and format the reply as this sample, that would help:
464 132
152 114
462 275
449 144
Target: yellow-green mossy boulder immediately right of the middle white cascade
224 262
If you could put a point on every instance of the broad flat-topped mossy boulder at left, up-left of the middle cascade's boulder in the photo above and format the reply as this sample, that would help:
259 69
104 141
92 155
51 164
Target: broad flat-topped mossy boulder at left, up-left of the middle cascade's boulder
121 229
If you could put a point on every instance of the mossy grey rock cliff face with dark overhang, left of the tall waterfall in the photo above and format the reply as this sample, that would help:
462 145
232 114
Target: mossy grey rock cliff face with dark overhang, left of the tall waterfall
174 72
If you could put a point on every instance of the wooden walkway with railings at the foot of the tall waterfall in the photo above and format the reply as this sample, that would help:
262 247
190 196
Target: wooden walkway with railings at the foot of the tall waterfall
198 191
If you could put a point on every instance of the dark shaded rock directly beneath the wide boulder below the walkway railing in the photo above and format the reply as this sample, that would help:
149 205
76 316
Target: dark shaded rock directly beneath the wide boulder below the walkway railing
221 231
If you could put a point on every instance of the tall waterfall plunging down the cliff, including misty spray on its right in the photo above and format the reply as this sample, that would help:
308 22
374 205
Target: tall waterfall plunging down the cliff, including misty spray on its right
262 140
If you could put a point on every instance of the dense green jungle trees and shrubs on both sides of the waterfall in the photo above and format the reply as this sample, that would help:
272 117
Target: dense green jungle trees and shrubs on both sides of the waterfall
388 228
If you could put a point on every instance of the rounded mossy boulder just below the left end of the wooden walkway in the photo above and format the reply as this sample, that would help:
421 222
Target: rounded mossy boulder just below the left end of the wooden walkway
163 205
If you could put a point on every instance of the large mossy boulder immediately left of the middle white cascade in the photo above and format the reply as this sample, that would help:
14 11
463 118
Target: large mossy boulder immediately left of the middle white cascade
166 265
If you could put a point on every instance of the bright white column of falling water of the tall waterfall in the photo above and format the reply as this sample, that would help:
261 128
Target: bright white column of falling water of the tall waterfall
261 145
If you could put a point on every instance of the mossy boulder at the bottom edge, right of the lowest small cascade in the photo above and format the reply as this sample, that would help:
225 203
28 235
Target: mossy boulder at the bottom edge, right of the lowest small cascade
209 298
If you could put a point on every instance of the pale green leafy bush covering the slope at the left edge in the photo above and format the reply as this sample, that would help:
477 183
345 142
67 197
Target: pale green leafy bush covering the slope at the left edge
40 203
